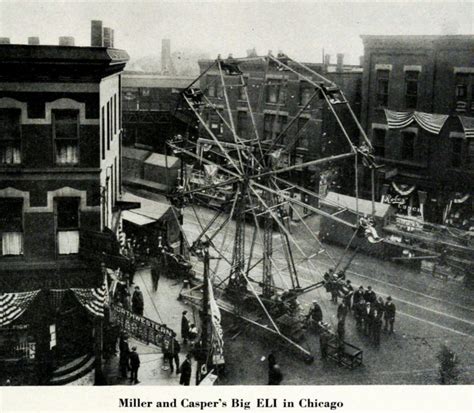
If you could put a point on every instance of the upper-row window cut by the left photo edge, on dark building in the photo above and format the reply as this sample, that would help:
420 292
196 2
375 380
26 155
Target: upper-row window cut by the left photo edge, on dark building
10 137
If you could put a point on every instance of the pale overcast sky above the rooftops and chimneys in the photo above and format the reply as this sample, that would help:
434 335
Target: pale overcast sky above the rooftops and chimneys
299 28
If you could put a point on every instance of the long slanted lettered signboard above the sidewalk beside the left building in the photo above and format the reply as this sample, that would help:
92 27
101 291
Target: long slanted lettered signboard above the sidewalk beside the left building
141 328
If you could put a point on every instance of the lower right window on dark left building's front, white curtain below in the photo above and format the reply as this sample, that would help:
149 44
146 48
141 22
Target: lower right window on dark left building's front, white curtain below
67 224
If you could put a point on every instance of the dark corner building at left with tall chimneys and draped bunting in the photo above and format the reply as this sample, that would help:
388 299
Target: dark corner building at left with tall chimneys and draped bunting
60 128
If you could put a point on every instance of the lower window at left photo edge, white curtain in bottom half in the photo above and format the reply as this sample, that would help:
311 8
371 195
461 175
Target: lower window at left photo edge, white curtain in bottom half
11 226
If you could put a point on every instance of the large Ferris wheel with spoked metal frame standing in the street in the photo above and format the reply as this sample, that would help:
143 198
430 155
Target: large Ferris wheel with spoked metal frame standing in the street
264 260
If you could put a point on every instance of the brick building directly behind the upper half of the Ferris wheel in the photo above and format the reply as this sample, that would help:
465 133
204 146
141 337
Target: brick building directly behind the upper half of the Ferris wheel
276 97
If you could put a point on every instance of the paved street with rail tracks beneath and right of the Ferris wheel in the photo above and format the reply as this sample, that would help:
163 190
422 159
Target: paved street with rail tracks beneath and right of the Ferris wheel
430 312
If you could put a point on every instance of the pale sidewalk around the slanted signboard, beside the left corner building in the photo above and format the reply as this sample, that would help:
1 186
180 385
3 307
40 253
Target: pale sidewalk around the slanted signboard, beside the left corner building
163 307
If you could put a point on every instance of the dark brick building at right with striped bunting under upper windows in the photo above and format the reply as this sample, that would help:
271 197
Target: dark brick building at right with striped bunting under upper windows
428 172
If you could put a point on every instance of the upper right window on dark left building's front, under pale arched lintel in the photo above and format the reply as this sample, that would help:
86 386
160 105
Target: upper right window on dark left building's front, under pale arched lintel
66 136
